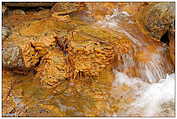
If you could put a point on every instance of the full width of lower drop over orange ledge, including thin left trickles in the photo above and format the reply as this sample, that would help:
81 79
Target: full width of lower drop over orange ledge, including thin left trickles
152 68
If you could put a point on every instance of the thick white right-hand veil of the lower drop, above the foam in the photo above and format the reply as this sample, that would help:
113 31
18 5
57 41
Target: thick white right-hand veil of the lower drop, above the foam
157 65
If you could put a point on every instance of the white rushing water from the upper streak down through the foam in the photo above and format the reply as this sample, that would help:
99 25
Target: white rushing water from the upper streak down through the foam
155 84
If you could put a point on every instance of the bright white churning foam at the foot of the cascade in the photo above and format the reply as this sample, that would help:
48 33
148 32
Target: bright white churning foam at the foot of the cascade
149 97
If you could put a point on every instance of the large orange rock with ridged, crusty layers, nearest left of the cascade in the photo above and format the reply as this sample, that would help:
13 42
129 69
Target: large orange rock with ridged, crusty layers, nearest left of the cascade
88 55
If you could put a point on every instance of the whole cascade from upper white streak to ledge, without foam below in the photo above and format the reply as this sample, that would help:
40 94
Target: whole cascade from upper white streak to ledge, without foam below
152 70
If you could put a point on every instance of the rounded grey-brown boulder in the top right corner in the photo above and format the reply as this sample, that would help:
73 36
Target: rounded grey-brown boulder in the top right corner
158 18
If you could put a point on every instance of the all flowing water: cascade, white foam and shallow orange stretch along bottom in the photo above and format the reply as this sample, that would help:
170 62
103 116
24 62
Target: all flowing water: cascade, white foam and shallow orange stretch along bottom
142 85
